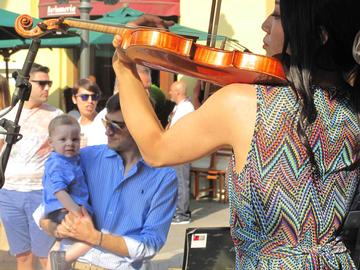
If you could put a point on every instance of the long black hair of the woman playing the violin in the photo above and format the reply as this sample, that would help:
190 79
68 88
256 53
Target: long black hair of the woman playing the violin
320 36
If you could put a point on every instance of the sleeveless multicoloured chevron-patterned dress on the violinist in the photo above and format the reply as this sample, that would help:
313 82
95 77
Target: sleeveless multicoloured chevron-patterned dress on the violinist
281 216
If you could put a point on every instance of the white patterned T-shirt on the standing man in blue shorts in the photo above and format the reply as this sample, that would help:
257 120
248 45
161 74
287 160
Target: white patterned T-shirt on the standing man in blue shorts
25 167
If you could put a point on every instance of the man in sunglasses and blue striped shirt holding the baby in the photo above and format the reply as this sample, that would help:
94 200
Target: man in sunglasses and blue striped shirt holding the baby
133 202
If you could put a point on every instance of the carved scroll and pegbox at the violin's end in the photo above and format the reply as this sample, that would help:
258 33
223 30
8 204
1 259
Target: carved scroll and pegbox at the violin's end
24 23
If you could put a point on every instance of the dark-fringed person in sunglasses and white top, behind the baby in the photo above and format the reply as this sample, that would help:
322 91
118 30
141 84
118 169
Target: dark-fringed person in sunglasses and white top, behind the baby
86 95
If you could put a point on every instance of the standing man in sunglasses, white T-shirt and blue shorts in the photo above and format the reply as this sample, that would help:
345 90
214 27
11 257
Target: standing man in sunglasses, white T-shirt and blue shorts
22 191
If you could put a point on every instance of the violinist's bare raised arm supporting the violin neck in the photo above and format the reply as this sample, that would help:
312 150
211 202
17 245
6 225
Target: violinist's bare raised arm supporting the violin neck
227 118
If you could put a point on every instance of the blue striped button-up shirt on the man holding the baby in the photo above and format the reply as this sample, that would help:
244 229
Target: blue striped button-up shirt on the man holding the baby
139 205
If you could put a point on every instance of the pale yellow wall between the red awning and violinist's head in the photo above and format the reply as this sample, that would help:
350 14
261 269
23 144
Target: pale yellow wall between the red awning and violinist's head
239 19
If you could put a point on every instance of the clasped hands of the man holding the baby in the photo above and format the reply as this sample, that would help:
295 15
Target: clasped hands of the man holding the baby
79 227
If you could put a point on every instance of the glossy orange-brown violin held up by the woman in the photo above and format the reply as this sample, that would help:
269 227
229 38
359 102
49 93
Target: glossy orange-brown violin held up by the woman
163 50
